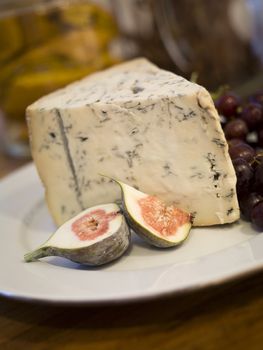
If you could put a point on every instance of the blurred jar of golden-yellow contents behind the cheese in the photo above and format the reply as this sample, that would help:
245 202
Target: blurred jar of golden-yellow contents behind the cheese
46 49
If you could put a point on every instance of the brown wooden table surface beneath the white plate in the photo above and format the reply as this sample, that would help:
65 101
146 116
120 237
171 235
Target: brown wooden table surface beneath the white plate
228 316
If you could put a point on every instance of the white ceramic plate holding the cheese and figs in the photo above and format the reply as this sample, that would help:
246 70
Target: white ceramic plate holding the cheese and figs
209 256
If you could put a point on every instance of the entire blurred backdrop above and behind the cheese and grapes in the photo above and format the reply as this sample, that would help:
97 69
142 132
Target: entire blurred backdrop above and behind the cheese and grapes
46 44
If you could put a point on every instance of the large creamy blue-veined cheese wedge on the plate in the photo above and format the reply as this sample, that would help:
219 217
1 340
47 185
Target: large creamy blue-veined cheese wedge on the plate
139 124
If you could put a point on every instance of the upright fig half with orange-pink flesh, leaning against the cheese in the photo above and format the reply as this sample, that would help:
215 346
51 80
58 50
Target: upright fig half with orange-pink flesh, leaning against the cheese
159 224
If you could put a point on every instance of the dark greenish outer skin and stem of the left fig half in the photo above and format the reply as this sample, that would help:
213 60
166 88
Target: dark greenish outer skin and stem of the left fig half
102 252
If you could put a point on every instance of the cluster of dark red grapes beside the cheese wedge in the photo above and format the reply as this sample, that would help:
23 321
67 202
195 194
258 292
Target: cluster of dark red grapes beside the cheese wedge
242 122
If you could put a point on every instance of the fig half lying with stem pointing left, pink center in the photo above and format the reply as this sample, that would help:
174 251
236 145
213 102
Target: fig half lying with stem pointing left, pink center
96 236
